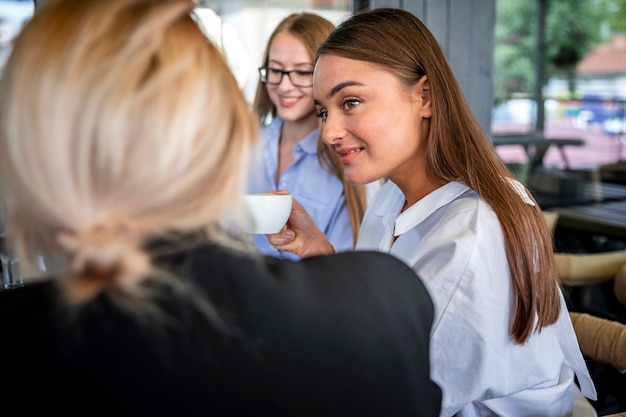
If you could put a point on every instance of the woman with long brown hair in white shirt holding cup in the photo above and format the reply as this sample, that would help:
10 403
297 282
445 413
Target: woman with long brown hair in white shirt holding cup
502 343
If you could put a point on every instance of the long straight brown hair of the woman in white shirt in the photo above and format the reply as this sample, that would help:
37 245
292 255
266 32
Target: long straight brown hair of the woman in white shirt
459 150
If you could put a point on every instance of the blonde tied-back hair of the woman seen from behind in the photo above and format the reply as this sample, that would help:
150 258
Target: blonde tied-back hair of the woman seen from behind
120 123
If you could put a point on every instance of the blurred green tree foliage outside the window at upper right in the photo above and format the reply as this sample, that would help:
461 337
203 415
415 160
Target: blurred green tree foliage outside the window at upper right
572 29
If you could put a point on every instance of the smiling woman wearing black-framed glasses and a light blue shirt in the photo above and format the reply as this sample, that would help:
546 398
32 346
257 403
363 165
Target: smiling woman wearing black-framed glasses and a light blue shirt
292 157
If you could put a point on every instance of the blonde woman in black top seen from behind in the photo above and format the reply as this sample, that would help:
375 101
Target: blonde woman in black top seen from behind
124 144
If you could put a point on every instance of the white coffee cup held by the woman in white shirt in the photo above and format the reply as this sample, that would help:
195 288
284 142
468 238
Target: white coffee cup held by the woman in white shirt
268 212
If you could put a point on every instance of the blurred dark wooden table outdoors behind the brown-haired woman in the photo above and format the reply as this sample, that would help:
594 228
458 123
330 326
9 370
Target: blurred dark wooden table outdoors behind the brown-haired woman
536 146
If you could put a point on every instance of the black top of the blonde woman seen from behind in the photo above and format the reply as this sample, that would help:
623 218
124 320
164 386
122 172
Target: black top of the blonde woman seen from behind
344 334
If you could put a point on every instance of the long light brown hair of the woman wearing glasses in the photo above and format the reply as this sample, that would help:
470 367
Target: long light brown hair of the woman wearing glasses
311 29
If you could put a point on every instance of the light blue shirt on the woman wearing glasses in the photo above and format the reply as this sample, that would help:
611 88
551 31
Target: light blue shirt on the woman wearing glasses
319 192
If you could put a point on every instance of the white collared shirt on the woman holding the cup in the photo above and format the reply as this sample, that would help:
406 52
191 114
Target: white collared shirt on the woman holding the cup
453 240
